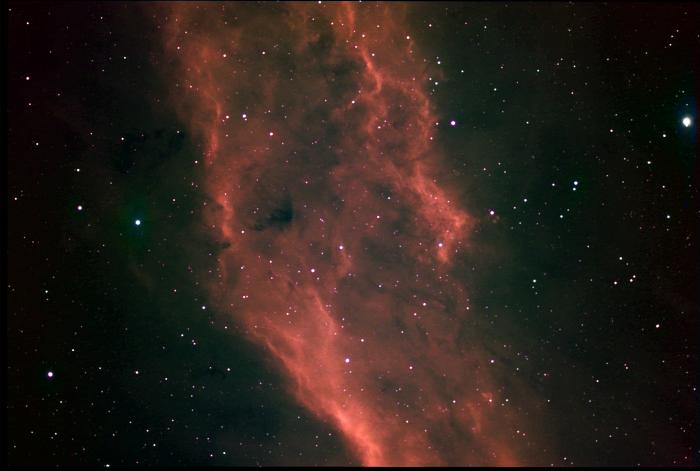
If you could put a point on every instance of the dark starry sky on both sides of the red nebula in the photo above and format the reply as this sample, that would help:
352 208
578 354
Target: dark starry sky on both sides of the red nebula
569 127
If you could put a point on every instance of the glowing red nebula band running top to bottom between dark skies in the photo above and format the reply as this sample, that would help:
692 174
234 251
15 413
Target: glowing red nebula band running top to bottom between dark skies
339 241
